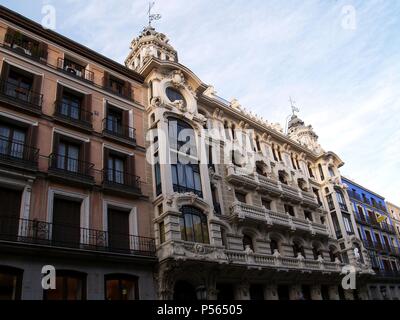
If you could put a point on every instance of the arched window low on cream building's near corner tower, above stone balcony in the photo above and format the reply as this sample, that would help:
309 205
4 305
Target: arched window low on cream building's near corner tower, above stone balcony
194 226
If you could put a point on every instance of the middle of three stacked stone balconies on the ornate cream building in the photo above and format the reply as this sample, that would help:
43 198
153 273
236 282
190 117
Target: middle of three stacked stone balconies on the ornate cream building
246 212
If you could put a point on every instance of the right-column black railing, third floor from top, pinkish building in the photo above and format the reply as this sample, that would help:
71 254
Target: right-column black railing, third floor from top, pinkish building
121 179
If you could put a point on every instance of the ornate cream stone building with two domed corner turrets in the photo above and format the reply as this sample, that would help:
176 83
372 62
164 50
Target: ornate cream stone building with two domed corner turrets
241 209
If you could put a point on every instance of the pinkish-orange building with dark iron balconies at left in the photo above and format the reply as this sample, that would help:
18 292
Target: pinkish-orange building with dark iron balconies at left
73 188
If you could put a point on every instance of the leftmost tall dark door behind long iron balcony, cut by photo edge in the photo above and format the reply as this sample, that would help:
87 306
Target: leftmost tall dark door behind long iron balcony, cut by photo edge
10 211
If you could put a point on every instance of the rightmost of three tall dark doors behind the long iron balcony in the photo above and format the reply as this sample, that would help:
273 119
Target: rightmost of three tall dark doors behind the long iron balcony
118 230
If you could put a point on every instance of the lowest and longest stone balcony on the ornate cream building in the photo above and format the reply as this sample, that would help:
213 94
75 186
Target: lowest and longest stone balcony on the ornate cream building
182 250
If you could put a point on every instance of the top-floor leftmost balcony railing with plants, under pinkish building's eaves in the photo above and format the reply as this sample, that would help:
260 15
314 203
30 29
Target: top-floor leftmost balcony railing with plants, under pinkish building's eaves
29 48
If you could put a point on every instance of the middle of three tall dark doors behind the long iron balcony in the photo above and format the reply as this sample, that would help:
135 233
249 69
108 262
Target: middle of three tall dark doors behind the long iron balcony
66 222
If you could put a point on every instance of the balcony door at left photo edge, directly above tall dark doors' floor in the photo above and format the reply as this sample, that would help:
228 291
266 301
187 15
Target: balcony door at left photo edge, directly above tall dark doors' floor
12 140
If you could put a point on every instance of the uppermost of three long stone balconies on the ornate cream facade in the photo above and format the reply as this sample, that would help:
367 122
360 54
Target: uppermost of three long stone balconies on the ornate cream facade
249 179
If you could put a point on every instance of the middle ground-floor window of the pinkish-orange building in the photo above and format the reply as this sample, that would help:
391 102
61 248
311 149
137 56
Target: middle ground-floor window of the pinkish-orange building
70 285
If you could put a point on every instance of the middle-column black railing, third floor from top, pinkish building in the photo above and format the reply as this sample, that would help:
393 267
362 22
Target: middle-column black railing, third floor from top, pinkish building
71 167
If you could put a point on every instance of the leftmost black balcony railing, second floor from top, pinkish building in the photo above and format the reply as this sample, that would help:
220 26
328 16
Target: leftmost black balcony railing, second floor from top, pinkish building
24 97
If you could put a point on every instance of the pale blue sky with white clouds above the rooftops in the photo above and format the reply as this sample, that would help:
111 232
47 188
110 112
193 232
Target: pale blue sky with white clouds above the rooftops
338 59
